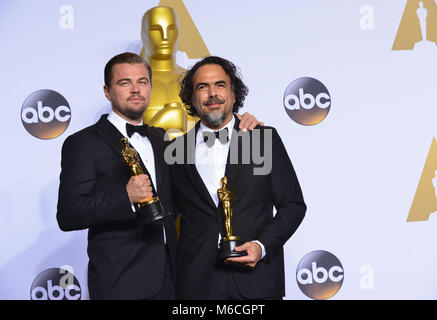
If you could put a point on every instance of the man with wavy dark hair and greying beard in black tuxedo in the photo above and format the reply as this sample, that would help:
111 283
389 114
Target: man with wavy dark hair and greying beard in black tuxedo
213 90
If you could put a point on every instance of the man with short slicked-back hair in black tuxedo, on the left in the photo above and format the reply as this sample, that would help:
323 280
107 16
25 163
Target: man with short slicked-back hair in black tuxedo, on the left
127 259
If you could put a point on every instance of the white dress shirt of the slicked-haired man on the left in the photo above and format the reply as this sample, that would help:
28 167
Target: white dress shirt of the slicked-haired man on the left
142 145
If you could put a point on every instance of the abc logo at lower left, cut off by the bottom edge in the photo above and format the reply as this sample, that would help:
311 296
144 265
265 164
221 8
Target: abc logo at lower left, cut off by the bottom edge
55 284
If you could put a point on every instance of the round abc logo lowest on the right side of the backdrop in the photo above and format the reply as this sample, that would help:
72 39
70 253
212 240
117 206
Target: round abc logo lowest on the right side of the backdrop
319 275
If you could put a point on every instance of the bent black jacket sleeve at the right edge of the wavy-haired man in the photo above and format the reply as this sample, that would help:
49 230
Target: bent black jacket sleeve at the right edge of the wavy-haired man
287 198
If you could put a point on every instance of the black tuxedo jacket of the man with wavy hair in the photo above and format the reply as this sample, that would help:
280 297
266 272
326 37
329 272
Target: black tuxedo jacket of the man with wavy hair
254 198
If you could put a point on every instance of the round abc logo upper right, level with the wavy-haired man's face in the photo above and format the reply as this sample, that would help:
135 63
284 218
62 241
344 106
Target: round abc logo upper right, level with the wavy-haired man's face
307 101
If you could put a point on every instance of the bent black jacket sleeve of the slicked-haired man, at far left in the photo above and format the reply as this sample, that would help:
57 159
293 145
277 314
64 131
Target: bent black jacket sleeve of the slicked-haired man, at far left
80 205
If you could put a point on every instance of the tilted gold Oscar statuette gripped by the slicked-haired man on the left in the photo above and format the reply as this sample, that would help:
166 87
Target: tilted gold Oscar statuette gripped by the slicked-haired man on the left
150 209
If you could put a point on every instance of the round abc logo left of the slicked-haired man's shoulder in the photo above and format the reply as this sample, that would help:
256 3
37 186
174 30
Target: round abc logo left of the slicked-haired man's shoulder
45 114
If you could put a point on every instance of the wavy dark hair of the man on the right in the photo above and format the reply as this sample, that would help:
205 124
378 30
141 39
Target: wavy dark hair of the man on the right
238 87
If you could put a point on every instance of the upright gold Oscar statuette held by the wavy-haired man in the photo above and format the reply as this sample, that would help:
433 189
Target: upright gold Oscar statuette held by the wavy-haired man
229 242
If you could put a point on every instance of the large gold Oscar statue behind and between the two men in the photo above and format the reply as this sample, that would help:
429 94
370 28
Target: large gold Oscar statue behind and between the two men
159 35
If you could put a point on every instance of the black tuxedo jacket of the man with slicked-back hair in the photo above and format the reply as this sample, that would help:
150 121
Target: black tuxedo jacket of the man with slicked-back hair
126 260
